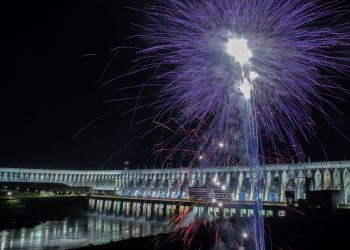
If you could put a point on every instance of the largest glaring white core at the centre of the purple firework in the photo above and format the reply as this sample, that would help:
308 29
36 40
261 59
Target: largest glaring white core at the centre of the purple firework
239 50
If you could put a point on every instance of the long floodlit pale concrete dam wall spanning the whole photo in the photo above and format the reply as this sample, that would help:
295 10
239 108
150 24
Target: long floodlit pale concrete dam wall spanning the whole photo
234 183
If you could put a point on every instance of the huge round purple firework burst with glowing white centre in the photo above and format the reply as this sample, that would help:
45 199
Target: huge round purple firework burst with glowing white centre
213 56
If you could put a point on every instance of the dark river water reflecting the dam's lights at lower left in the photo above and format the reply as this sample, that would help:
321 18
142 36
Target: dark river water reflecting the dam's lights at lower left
78 232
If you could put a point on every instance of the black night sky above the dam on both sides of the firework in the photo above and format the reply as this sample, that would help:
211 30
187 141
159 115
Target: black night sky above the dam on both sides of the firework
53 57
